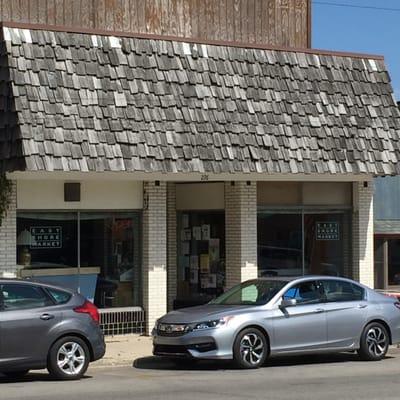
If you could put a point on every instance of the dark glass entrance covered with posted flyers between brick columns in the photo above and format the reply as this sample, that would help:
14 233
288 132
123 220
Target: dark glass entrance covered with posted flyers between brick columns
201 256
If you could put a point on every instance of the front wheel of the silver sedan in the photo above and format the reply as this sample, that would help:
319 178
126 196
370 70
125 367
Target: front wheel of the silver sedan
250 349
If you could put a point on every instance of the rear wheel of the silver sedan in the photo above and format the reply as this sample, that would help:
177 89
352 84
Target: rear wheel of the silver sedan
374 342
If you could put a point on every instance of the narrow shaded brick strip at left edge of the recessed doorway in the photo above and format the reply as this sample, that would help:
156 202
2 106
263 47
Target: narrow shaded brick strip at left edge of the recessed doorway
171 243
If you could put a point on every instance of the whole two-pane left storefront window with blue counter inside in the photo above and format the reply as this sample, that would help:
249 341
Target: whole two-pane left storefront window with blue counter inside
96 253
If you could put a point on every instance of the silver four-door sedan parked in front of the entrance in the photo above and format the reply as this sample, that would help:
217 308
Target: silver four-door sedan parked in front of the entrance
276 316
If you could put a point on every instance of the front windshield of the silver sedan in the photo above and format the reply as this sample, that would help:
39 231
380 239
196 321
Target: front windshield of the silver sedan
256 293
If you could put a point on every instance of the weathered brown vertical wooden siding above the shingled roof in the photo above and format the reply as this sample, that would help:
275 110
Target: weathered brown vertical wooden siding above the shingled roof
270 22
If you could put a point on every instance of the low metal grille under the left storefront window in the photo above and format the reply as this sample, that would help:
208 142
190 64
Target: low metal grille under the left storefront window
123 320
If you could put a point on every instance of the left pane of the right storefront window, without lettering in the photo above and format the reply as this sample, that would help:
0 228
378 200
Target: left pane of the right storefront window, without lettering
279 244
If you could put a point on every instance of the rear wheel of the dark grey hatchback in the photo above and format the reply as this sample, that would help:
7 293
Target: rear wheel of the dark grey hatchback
68 358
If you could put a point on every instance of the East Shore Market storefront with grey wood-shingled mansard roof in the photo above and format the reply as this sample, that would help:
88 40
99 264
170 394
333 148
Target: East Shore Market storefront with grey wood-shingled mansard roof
157 171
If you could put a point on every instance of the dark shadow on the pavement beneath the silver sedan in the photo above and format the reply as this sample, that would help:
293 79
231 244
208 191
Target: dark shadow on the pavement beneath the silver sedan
160 363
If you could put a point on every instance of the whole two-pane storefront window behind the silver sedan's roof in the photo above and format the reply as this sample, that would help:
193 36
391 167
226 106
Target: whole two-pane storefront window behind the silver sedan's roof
300 242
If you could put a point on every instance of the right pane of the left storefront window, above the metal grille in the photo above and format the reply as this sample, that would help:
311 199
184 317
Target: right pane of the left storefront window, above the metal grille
111 242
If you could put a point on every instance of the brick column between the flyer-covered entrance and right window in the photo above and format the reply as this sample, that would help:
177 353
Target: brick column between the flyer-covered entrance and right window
240 231
